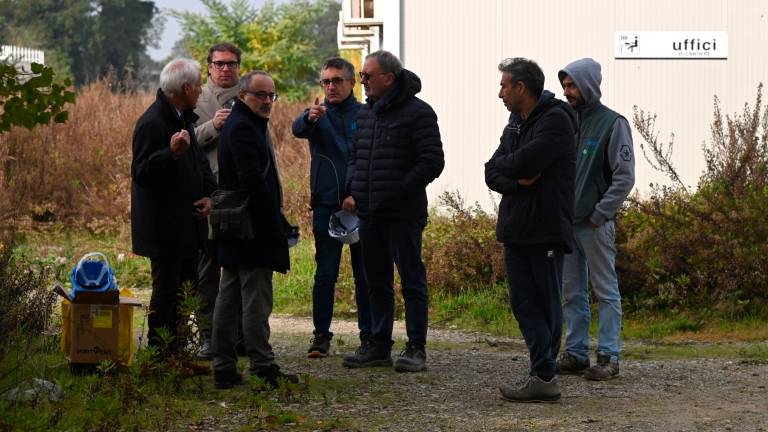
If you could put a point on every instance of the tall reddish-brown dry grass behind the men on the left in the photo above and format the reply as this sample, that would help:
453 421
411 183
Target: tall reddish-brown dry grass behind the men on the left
79 172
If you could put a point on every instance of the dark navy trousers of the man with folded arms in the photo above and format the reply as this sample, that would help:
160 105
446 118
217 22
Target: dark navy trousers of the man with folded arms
535 280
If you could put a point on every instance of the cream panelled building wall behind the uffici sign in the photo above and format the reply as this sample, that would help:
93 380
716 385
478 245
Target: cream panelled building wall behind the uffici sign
455 46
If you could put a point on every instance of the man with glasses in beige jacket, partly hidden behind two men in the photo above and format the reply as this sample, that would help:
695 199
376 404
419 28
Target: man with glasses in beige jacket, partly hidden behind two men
213 108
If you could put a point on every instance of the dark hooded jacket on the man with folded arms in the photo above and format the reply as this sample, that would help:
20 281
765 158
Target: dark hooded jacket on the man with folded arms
543 144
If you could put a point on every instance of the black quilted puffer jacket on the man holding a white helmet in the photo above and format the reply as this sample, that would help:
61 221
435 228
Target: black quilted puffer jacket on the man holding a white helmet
397 153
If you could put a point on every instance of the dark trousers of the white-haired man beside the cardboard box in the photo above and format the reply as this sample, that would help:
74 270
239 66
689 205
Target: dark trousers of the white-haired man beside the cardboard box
168 275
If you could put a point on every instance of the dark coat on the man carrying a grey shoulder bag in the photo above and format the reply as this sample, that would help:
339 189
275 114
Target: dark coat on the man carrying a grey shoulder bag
246 163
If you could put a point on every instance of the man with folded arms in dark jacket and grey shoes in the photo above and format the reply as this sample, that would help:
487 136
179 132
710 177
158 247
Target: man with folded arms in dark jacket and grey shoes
533 169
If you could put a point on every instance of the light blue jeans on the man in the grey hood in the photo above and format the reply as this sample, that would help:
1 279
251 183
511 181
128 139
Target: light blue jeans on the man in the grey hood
593 258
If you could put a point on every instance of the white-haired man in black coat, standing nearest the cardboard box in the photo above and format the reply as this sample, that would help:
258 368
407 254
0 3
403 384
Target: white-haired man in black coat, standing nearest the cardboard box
170 189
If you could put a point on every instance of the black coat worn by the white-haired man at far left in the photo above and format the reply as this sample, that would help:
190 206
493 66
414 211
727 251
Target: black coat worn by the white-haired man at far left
164 186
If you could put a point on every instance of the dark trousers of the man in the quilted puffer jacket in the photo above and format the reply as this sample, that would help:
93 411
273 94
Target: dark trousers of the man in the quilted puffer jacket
399 243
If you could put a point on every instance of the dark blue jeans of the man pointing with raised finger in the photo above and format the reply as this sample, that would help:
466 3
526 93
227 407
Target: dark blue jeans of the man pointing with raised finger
327 258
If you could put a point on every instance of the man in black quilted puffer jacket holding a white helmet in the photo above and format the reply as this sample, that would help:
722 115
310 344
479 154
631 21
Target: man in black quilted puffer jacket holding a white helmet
397 153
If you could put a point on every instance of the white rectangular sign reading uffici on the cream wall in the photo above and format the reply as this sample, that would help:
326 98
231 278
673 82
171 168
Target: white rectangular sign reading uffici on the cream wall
671 45
